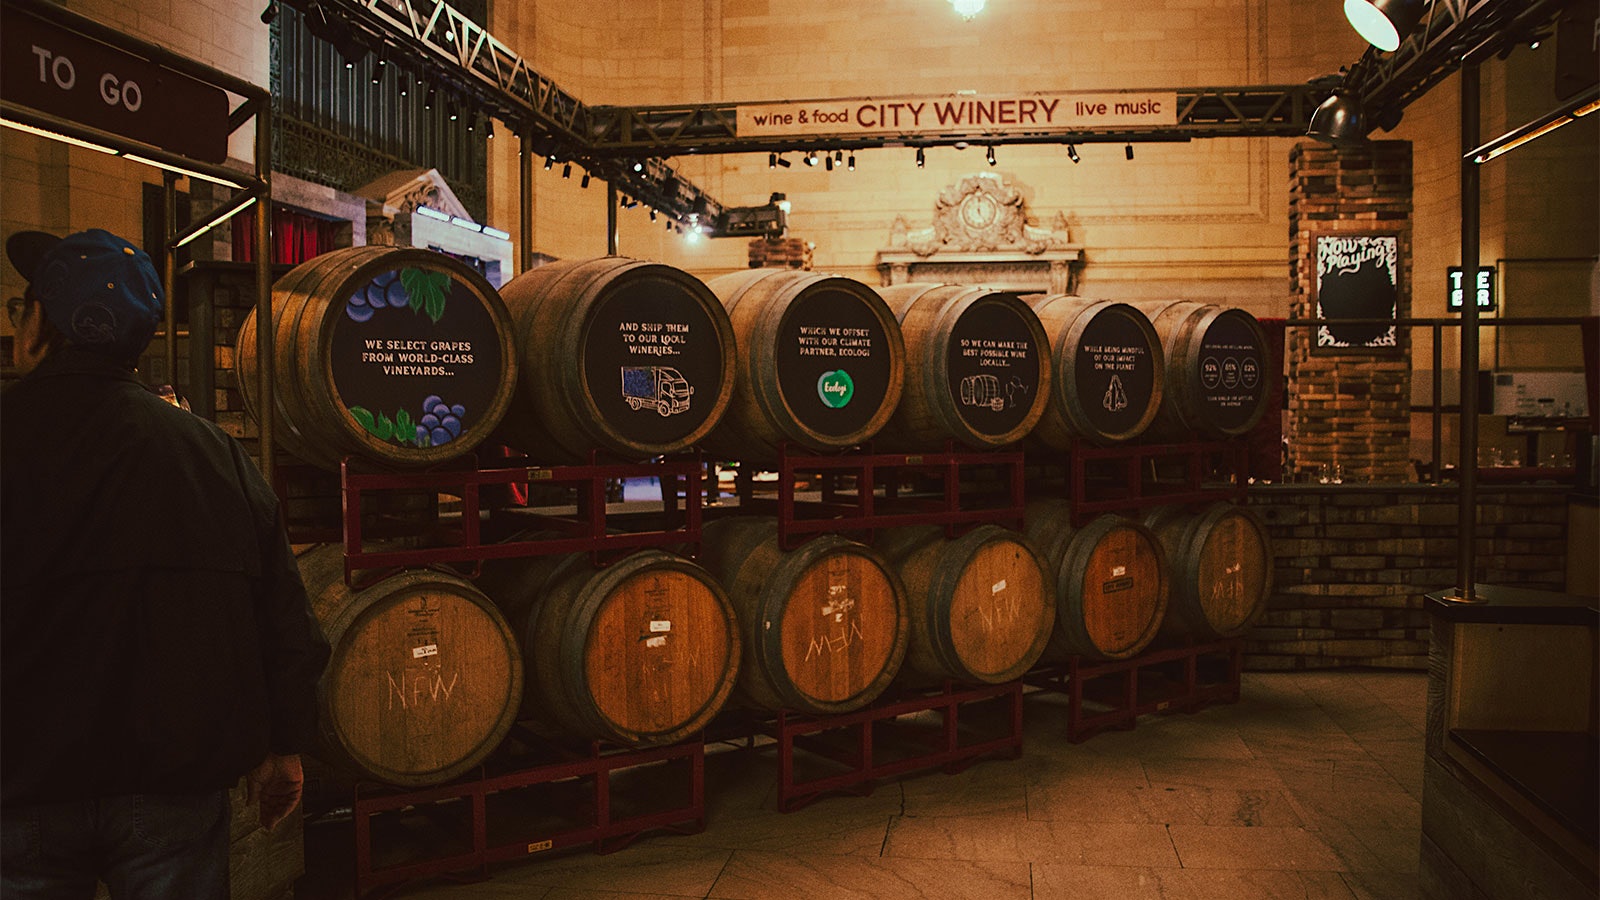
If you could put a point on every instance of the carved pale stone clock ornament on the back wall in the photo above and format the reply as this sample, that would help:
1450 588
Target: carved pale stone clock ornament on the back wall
980 214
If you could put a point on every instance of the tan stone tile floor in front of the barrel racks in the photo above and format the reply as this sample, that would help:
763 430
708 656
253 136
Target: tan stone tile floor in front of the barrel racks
1310 787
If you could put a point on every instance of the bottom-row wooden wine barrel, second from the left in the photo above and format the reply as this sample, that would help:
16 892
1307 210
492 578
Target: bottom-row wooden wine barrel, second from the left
642 653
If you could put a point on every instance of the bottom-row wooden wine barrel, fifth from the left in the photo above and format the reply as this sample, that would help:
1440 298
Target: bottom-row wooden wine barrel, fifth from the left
1111 582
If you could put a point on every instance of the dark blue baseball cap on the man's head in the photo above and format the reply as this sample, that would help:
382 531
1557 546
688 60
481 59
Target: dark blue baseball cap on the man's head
98 291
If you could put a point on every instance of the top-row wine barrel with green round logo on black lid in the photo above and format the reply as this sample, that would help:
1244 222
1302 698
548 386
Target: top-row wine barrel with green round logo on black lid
820 363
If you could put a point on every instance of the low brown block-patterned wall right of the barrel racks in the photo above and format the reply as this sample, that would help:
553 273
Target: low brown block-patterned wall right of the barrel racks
1351 568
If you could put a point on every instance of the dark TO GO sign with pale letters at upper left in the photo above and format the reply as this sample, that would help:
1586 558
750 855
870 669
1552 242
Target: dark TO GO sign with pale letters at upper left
62 73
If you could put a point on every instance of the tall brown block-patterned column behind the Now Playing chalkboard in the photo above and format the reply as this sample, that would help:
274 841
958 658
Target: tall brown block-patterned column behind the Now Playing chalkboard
1350 412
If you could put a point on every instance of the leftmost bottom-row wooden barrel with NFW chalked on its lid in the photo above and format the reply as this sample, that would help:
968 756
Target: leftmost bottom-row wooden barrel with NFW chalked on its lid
425 678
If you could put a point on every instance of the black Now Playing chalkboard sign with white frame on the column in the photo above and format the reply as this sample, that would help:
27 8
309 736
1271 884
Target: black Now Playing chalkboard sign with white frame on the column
1358 283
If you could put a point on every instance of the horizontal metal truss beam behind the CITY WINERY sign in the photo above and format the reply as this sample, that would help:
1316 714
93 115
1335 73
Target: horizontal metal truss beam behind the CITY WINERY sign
711 129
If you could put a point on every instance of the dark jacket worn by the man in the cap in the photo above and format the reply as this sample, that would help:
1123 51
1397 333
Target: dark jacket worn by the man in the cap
154 632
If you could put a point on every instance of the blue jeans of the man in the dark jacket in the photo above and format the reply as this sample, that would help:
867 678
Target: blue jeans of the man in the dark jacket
142 846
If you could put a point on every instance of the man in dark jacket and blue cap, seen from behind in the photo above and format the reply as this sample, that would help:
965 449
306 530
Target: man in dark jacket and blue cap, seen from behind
156 640
